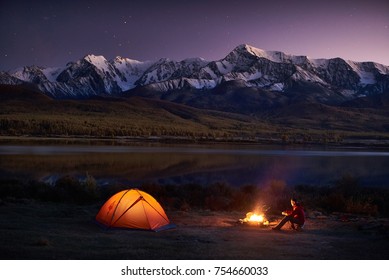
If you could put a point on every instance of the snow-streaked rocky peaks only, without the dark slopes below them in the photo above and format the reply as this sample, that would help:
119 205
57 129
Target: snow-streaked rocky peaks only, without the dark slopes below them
246 65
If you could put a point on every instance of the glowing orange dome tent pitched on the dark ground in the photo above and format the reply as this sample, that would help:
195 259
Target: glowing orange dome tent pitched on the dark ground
133 209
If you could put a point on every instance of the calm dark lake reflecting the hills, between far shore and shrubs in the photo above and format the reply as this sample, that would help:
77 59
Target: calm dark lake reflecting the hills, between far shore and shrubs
203 164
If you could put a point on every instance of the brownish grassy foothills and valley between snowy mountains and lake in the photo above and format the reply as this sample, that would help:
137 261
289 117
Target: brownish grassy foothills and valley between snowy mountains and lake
30 113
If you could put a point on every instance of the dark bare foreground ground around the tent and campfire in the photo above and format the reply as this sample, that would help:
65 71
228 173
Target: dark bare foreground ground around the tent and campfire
37 230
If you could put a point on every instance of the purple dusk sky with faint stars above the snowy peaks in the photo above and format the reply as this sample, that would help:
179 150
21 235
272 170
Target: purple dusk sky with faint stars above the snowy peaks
52 33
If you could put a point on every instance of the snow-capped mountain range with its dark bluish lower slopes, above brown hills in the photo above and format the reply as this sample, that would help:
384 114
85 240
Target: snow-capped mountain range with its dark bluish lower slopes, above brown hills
248 80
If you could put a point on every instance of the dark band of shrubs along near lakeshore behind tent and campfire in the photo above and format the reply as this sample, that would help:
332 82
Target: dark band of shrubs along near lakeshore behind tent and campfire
346 195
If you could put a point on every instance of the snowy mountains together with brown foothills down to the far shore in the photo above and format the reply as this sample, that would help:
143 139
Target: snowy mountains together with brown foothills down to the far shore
250 92
